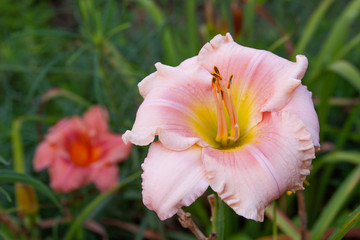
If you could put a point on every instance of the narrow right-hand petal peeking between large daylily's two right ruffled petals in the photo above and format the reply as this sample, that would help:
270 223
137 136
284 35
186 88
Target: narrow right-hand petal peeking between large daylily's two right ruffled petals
302 105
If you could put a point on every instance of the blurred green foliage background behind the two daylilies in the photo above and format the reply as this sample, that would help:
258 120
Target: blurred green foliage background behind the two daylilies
57 58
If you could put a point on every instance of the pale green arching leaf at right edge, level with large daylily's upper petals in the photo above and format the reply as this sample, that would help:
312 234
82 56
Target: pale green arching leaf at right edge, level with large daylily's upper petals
348 71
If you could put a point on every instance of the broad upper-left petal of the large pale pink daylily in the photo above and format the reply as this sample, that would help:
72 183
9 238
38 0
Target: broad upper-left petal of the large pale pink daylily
168 108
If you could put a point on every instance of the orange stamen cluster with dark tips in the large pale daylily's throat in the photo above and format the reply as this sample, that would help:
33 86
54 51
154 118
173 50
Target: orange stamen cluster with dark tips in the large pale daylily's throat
223 97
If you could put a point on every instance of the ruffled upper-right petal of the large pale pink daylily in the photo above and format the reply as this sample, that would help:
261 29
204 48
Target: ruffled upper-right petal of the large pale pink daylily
260 77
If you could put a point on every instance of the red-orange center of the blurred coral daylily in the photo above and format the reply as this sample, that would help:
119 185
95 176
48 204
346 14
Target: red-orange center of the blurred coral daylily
83 153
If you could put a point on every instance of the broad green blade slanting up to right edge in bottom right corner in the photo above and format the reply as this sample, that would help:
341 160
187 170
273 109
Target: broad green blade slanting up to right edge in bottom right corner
335 204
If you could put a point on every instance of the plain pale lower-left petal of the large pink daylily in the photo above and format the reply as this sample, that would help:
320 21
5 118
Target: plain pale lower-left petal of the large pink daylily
172 179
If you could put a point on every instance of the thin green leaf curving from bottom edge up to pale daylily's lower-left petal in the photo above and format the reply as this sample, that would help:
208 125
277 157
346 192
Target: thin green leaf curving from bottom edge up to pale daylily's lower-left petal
86 212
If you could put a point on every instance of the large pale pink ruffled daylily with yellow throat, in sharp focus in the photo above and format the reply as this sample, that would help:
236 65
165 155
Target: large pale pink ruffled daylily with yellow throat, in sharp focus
233 118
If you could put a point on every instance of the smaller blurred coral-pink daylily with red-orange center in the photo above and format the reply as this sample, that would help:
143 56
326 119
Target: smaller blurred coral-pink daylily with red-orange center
79 151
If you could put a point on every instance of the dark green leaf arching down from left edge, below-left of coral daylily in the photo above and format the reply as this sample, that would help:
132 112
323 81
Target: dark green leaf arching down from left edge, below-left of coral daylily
7 176
